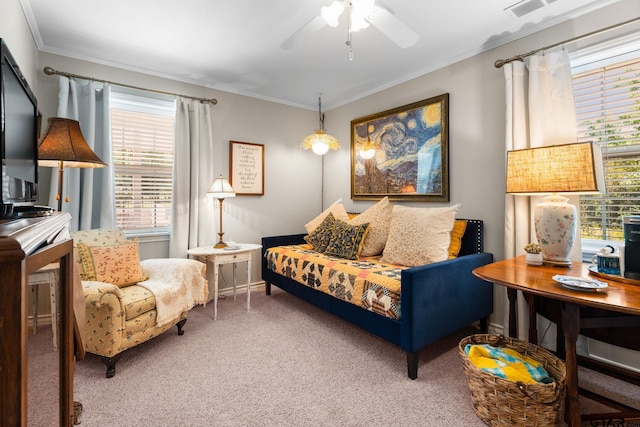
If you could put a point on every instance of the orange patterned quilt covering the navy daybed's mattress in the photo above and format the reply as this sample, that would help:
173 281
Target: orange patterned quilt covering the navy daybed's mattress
365 282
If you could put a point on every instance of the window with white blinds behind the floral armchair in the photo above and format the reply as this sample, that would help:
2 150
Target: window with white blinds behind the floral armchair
142 132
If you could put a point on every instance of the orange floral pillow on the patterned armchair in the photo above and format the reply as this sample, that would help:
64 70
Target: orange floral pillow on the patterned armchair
118 264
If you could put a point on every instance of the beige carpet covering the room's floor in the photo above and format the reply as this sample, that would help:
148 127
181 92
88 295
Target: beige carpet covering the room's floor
285 363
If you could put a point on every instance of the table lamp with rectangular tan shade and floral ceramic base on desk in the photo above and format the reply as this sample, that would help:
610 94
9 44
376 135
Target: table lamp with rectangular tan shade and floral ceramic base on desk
568 168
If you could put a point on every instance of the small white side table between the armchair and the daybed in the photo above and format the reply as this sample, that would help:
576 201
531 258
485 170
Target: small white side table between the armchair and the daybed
232 254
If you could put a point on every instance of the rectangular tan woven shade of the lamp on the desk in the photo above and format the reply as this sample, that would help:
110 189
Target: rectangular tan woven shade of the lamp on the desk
568 168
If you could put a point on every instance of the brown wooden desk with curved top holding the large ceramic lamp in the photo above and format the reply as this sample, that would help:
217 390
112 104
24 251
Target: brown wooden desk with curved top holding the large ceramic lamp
516 275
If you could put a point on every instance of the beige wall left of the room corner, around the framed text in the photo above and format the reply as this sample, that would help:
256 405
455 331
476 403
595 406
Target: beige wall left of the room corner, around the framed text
292 184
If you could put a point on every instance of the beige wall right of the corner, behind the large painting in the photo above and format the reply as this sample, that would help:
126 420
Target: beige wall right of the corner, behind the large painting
477 123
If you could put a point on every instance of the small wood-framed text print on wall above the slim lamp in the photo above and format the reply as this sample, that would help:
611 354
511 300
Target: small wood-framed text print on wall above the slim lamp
246 166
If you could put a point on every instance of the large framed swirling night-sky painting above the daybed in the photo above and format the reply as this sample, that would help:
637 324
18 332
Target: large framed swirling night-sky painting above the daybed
402 153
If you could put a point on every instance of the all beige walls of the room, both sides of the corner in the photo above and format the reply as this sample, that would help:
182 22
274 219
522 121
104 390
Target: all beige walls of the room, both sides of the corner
293 177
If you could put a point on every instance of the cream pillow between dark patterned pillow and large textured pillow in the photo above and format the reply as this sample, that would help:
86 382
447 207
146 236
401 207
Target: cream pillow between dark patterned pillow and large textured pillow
379 218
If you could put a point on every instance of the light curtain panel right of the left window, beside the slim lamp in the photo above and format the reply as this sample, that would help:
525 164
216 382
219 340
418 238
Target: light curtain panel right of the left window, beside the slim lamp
192 219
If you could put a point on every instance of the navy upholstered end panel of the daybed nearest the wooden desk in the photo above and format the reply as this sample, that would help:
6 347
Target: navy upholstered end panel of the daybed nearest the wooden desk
440 298
